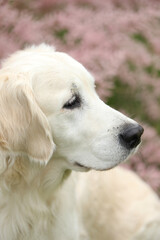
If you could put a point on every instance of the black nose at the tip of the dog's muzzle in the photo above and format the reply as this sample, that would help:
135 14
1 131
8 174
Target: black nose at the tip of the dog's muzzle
131 136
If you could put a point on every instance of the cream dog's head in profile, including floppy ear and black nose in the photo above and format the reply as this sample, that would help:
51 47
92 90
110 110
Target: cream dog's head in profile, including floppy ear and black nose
48 99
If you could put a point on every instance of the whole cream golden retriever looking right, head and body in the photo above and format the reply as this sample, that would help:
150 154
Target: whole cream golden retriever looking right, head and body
53 127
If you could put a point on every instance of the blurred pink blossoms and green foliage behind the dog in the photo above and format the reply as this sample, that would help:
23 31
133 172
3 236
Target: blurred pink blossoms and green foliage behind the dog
117 40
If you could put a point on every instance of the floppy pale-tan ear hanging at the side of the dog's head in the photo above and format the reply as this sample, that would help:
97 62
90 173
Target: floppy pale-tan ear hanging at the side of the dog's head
24 128
